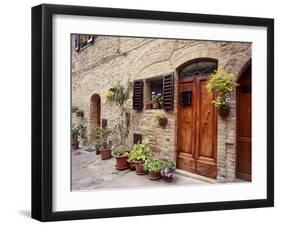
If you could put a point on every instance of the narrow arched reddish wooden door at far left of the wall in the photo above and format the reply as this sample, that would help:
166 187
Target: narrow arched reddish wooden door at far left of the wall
95 115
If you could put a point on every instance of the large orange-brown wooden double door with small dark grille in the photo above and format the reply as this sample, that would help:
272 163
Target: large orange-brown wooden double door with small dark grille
196 149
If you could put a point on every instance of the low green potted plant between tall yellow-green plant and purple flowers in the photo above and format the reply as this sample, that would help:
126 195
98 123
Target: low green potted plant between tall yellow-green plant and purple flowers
153 166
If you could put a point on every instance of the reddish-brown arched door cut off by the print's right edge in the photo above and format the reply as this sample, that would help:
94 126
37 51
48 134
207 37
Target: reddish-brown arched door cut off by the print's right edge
244 127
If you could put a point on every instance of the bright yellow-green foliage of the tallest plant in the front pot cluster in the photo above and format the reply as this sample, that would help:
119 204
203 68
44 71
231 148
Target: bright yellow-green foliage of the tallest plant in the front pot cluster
140 151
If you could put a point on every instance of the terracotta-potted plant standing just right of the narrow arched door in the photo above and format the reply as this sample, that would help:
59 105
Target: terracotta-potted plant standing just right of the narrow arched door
103 134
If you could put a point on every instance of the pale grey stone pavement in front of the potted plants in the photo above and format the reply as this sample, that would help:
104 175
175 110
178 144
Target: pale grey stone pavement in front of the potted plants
90 172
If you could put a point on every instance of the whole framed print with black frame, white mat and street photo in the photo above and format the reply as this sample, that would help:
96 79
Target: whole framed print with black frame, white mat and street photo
146 112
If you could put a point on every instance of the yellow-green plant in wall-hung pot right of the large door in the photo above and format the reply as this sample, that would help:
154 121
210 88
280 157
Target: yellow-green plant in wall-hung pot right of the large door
222 84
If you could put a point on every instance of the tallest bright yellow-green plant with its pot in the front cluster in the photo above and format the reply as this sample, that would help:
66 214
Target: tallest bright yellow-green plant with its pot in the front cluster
139 154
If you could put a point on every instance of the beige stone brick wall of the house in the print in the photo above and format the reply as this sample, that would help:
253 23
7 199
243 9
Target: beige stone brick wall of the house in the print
97 67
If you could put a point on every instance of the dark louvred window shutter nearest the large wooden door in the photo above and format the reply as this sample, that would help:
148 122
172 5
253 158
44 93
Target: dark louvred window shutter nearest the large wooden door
168 92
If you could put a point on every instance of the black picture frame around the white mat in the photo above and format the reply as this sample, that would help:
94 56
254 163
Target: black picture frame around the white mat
42 111
